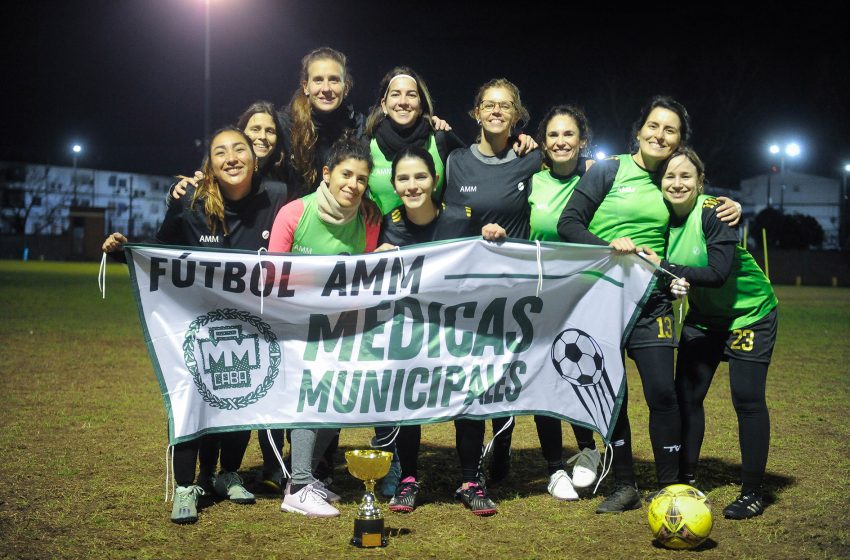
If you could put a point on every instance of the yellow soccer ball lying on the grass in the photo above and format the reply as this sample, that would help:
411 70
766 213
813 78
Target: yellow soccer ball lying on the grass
679 517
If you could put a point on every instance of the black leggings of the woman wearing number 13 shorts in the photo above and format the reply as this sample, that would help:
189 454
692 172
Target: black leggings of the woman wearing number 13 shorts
655 365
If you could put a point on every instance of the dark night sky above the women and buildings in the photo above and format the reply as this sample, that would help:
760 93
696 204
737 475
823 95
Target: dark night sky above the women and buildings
125 77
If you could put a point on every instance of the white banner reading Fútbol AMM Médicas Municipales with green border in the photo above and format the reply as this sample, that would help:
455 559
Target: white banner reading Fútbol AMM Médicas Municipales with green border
425 334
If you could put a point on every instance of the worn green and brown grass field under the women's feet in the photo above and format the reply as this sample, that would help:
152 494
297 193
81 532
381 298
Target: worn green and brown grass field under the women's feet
83 439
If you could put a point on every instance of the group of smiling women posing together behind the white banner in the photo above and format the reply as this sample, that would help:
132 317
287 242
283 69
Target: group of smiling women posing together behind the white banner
318 178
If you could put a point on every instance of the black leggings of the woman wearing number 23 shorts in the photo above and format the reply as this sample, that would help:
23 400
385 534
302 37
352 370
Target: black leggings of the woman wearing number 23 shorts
695 369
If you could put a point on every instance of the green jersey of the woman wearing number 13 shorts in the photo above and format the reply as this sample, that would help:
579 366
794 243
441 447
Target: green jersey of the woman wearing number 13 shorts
632 208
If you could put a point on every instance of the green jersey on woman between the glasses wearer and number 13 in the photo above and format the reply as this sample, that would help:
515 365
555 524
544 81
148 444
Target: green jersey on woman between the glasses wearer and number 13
549 196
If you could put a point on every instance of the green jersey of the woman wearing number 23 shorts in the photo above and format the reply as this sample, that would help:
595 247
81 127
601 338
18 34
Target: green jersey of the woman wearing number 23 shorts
744 298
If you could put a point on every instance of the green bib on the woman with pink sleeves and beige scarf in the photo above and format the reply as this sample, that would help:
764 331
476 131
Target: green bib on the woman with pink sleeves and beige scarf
315 237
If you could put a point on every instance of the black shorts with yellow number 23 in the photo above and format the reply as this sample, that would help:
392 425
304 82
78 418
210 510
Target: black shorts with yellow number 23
753 343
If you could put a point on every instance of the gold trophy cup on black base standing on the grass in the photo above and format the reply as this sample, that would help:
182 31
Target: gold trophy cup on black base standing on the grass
368 465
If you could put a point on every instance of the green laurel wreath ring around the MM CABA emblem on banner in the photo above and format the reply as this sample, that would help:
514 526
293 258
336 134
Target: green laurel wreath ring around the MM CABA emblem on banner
192 364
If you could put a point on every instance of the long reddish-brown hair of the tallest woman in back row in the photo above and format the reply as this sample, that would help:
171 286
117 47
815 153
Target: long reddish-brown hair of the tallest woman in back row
303 130
